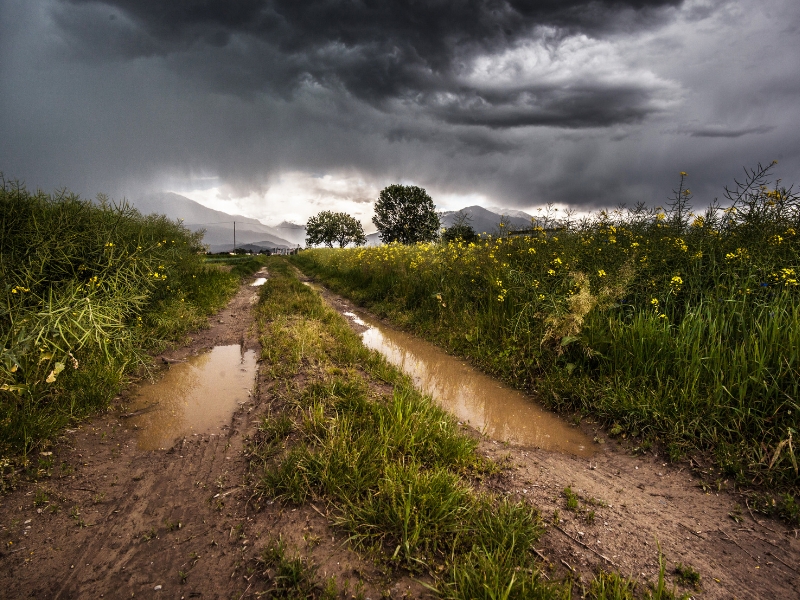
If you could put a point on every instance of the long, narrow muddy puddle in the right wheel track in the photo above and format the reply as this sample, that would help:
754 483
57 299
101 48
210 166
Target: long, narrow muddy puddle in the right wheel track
499 411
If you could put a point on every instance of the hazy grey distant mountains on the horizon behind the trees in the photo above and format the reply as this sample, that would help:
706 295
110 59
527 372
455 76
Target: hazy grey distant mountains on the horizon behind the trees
252 234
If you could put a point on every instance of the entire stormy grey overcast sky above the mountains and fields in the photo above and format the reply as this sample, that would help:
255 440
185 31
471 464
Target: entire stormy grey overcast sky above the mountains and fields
282 108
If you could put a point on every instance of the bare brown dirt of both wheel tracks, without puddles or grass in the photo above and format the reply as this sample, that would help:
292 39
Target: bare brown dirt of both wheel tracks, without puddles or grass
110 520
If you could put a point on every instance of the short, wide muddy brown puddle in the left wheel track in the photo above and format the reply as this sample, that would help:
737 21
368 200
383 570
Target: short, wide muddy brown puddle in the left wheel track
193 397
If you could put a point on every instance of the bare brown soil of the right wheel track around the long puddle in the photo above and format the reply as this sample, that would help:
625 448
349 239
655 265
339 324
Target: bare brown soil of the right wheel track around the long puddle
631 503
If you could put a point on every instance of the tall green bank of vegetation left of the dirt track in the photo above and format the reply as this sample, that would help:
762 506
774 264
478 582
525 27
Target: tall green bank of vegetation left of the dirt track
89 289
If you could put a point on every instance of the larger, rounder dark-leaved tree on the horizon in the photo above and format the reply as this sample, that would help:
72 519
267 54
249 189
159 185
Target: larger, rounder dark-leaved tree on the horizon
406 214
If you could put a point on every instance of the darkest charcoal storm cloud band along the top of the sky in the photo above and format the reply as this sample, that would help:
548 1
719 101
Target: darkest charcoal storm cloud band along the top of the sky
381 52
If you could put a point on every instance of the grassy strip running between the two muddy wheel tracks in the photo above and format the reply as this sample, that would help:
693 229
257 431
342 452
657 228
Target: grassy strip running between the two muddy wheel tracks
399 477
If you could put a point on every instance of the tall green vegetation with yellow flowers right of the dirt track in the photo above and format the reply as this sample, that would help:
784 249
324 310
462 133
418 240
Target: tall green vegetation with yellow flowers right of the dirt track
670 325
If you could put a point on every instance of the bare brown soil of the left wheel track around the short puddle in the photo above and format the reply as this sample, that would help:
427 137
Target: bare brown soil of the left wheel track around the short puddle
113 520
